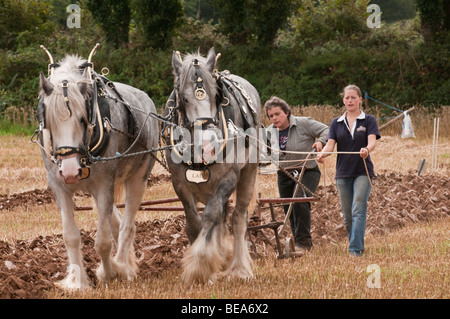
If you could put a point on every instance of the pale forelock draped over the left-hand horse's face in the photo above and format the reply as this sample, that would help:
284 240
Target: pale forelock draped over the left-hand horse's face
78 91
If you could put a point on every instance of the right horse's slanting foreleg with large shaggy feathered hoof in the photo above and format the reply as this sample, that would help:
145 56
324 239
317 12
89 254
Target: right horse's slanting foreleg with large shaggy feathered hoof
207 255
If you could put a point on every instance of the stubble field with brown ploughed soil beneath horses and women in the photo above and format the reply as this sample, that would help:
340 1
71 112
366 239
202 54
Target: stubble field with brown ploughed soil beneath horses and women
407 237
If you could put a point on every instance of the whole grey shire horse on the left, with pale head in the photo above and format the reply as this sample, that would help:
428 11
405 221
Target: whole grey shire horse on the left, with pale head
84 116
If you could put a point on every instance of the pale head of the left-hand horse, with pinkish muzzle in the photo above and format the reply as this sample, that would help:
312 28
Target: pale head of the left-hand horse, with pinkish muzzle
63 101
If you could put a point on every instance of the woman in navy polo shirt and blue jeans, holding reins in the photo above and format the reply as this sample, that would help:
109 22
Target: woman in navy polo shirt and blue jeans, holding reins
354 131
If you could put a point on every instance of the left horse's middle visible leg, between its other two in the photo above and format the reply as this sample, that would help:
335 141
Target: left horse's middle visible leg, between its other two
109 269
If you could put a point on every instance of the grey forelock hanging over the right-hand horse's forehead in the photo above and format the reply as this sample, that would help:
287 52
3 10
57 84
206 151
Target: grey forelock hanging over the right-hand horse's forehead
186 77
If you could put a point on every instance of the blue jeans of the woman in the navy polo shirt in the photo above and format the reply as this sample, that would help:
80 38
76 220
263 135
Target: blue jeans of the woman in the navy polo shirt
354 194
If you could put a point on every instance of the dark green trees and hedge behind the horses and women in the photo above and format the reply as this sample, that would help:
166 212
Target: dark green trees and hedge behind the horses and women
302 50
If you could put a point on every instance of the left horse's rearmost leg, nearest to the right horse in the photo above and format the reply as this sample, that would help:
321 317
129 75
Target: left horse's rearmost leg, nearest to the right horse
135 187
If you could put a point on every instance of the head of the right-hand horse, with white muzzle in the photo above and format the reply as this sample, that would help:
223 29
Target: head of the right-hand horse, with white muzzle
196 93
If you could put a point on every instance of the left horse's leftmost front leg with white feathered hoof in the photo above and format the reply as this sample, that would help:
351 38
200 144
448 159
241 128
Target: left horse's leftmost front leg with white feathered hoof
76 274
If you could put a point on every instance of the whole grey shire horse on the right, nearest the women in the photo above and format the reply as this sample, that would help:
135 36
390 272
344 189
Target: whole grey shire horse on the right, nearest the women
214 118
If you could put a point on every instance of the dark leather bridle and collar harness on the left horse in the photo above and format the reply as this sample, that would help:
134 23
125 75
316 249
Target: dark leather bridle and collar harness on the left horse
98 128
